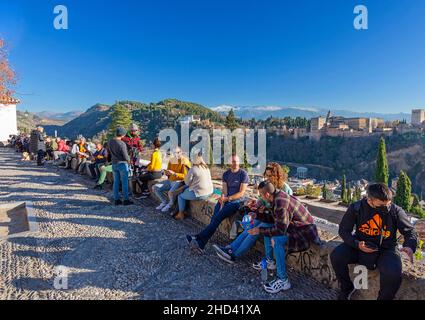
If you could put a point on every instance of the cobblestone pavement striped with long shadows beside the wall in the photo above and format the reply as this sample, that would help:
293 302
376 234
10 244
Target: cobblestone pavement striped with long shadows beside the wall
114 253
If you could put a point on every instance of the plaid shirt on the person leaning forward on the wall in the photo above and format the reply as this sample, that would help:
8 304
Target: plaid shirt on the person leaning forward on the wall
294 220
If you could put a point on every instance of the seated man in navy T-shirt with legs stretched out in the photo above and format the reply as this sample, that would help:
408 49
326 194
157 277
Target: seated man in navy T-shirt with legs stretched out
235 183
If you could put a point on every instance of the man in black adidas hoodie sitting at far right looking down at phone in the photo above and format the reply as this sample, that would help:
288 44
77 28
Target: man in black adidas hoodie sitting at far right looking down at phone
375 221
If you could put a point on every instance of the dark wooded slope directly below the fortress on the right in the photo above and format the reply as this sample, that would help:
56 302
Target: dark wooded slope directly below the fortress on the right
331 157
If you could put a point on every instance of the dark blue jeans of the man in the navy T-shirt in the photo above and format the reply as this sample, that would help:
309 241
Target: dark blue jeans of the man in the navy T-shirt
229 209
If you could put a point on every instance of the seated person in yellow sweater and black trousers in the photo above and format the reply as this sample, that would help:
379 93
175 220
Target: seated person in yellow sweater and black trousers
152 172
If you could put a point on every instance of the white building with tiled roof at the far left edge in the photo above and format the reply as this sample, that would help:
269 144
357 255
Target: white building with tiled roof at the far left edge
8 122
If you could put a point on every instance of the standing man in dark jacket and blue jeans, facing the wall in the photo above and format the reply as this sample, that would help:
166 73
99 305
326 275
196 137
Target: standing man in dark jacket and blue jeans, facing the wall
120 167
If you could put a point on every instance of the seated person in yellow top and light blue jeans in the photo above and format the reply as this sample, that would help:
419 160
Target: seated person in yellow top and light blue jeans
176 172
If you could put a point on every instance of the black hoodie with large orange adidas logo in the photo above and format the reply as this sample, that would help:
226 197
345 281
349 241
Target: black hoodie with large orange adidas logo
367 224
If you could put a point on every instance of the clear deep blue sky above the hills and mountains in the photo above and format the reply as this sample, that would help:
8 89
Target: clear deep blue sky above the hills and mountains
287 53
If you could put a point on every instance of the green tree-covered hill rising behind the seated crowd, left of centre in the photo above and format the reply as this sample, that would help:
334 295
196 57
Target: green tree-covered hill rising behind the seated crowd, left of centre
150 117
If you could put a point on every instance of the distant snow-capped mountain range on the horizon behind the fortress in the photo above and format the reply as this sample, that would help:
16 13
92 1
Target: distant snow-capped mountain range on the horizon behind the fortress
264 112
